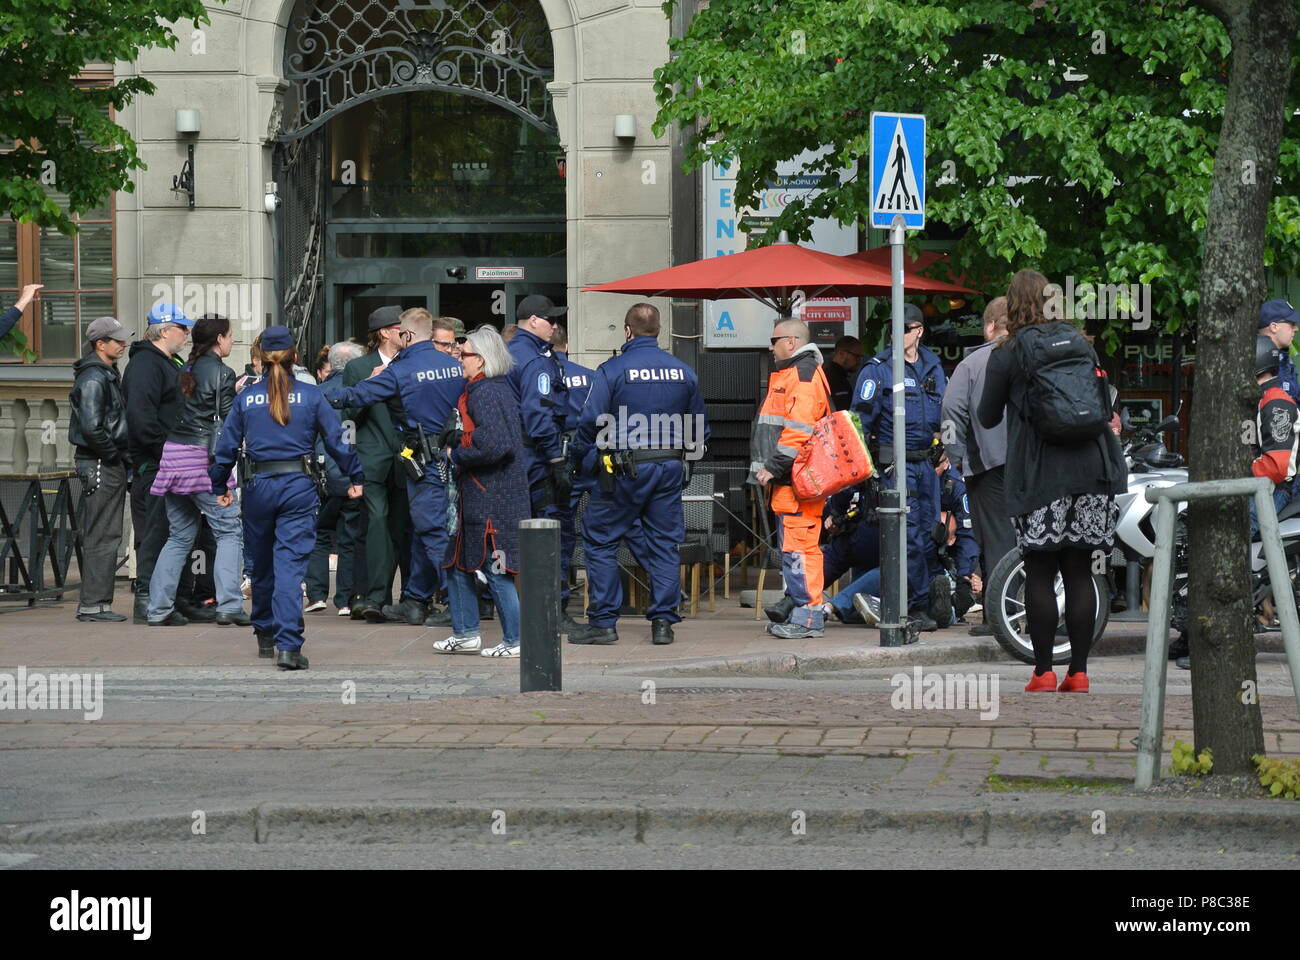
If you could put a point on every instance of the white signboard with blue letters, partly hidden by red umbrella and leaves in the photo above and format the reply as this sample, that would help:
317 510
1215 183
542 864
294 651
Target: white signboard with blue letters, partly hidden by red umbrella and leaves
749 323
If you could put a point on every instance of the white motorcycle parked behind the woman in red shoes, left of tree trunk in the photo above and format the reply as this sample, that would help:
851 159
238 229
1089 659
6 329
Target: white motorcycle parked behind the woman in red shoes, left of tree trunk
1150 465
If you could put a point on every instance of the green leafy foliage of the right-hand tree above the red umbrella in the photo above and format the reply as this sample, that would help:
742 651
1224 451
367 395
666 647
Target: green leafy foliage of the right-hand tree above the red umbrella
1076 137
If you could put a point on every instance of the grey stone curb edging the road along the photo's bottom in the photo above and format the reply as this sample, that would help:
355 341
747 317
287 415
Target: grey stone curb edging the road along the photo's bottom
998 824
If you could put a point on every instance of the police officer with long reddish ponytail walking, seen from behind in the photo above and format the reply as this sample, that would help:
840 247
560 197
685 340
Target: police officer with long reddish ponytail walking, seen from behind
276 423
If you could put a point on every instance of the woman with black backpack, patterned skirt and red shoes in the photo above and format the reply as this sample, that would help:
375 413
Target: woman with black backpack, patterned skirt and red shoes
1064 469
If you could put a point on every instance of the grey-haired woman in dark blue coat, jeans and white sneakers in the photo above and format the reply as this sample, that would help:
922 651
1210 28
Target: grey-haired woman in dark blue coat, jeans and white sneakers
492 479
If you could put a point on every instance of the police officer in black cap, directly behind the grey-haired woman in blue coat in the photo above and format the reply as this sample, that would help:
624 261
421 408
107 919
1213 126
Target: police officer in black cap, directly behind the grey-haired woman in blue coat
539 383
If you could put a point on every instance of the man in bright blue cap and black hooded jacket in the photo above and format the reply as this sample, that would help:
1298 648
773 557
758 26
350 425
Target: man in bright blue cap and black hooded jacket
151 387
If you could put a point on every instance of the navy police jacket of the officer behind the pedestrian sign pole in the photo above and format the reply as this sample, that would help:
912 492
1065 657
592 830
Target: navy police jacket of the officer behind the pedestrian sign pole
925 384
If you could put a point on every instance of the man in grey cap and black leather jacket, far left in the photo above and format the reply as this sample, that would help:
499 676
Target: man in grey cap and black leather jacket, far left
98 430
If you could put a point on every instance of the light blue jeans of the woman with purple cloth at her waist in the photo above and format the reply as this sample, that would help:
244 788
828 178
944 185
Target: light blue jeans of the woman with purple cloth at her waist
183 514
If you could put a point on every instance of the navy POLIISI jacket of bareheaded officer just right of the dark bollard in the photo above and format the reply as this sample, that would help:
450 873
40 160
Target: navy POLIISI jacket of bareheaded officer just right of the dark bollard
645 397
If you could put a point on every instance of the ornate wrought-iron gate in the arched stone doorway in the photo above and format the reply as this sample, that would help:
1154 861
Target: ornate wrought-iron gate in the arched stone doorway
344 53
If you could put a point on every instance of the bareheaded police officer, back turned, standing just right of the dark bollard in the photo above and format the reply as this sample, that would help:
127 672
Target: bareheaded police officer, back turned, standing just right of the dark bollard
644 417
